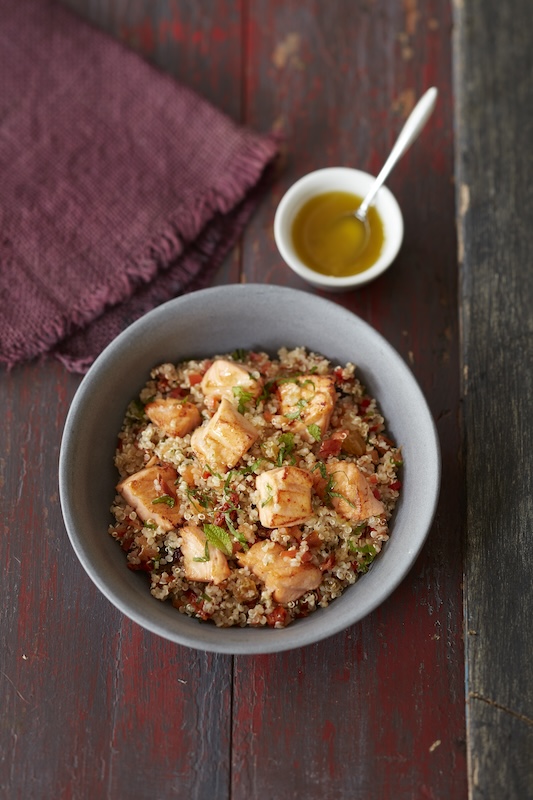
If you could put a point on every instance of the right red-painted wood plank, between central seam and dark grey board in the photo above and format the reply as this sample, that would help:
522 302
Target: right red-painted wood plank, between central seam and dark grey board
378 711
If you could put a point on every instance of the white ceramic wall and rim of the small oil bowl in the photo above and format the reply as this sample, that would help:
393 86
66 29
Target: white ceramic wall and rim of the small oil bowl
393 218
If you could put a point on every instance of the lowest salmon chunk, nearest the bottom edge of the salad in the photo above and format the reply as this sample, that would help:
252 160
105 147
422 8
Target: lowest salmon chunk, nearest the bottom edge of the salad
271 563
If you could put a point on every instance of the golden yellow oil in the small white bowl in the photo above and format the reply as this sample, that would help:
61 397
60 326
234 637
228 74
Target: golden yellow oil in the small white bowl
330 242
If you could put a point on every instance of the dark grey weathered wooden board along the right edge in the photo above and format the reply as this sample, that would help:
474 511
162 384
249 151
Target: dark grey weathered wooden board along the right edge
494 66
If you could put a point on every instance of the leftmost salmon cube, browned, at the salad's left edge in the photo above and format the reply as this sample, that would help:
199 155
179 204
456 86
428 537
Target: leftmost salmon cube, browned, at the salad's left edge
151 493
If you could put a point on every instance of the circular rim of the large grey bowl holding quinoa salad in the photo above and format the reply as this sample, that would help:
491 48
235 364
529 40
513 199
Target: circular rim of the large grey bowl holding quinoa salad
235 641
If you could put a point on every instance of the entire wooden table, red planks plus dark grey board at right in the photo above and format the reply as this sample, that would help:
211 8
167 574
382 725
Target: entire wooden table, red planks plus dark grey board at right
95 707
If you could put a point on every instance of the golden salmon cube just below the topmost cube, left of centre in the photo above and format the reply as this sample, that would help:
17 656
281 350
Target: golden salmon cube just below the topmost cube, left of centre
224 440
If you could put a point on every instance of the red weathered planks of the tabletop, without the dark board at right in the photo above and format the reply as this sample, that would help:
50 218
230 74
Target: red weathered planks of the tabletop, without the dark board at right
94 706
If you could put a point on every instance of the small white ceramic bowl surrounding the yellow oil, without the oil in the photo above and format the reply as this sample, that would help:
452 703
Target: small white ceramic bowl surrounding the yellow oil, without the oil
345 180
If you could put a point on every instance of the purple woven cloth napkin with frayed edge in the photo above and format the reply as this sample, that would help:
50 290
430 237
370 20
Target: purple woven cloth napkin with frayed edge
119 188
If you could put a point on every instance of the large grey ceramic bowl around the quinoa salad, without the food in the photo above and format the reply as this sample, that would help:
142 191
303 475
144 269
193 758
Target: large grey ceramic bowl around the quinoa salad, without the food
220 320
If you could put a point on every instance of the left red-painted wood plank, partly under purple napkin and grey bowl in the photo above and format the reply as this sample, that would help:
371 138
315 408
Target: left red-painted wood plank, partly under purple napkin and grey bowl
93 705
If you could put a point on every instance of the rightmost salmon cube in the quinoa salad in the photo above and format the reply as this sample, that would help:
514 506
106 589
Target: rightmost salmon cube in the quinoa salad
351 494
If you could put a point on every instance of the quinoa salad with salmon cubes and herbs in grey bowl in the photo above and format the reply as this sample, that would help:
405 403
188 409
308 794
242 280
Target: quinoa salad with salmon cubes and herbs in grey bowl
253 490
